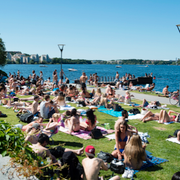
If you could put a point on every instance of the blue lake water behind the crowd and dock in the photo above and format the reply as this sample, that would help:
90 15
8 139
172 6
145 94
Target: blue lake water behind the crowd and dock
165 75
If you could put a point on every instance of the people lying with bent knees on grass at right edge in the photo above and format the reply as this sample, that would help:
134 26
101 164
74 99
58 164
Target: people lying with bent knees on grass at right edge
163 116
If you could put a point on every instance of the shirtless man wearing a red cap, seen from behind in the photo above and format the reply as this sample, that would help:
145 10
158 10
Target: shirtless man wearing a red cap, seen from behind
93 165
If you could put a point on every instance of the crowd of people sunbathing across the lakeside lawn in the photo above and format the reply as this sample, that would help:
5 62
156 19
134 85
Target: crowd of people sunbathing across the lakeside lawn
45 98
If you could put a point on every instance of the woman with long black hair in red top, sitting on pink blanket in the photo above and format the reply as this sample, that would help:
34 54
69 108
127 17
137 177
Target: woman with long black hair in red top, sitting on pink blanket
90 122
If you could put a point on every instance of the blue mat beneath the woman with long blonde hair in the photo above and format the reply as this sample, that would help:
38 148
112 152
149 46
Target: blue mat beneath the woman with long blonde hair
152 161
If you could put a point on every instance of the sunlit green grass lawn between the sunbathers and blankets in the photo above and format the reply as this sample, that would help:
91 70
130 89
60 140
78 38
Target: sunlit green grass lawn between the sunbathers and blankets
158 145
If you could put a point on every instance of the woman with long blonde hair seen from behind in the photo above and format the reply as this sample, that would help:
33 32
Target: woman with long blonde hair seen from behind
134 153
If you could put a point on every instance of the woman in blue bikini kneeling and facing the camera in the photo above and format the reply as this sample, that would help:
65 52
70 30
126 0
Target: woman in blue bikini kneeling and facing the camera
122 137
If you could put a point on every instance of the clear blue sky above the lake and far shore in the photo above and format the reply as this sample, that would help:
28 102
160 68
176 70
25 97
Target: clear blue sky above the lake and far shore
96 29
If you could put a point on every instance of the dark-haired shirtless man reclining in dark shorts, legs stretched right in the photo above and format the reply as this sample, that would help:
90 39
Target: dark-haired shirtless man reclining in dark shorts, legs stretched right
53 153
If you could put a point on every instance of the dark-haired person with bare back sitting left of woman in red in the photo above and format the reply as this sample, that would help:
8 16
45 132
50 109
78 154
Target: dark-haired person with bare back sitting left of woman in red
73 123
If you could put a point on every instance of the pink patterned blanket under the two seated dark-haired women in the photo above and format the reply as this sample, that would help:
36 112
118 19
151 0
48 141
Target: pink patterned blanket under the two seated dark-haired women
85 134
